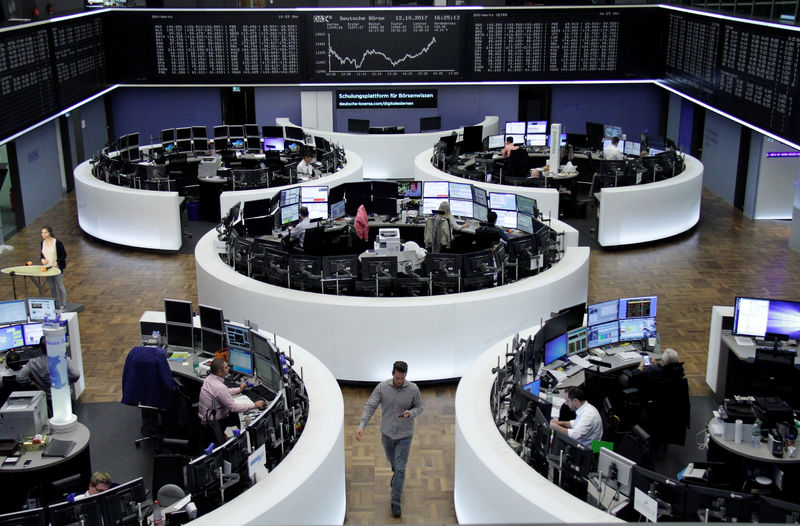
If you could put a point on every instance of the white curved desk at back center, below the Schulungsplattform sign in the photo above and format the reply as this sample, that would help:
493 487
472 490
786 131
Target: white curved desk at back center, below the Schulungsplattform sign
390 156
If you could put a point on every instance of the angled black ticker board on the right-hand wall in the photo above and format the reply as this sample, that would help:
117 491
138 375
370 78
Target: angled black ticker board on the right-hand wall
744 69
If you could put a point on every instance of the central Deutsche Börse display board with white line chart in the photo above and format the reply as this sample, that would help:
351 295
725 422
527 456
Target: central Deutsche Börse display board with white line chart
392 46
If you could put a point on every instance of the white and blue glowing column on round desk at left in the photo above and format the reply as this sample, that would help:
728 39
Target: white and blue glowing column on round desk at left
54 333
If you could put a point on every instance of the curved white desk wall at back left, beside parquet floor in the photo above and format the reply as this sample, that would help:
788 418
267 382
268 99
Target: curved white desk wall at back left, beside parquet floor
126 216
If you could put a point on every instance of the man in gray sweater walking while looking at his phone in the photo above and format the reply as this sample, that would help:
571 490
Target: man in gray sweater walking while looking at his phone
400 403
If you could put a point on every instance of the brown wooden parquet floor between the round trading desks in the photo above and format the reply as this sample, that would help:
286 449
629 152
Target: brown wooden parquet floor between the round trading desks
724 256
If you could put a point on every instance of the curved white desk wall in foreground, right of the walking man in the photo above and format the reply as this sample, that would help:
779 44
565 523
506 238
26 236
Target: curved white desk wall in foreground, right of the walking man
492 484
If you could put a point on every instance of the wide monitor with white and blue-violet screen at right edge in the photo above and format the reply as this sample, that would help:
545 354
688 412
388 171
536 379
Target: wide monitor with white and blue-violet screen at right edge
759 317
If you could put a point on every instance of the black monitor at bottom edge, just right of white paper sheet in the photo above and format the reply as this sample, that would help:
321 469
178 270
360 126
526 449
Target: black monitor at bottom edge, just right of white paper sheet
704 504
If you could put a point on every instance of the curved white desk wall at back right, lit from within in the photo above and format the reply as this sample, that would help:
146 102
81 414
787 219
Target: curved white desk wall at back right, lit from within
647 212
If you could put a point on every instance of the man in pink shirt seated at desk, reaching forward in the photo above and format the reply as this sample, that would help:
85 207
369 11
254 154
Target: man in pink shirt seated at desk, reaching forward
216 401
